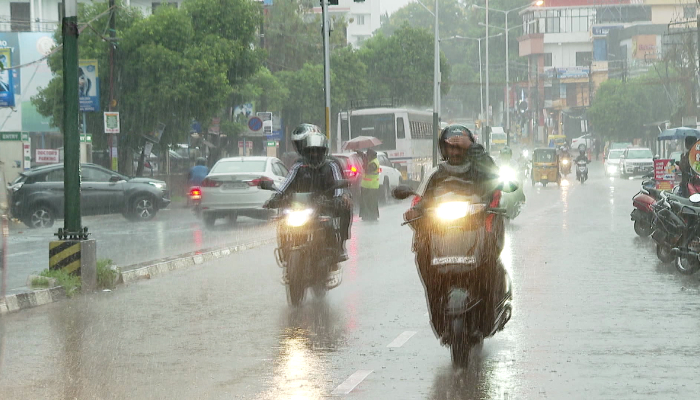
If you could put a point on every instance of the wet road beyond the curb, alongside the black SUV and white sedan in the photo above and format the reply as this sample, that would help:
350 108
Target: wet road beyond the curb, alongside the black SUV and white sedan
174 231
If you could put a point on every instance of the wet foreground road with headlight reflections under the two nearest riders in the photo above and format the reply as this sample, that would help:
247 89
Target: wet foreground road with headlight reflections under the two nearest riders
595 317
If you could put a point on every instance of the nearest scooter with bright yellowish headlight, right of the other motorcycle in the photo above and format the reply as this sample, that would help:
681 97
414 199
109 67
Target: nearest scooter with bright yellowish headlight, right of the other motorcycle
459 230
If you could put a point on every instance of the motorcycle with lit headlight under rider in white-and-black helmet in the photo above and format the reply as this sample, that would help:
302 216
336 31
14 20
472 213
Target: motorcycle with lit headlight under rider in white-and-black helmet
308 243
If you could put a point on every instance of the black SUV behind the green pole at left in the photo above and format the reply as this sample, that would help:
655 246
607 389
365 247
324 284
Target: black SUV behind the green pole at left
37 195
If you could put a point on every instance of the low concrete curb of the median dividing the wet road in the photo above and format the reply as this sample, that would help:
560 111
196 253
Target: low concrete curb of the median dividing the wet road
23 301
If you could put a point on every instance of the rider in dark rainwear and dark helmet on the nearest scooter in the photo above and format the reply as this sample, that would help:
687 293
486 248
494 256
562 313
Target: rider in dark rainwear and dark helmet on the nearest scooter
465 159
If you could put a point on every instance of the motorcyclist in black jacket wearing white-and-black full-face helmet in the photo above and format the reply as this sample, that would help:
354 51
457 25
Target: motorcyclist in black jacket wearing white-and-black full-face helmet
316 172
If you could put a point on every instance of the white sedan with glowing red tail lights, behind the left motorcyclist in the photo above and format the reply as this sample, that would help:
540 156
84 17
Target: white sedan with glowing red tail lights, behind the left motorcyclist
232 187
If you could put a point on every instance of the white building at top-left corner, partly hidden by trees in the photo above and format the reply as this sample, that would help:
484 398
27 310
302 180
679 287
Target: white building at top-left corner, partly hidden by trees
44 15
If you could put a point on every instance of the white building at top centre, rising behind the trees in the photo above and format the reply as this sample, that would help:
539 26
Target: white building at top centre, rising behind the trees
362 18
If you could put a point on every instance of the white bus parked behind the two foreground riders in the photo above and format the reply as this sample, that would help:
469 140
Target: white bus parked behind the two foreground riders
406 135
